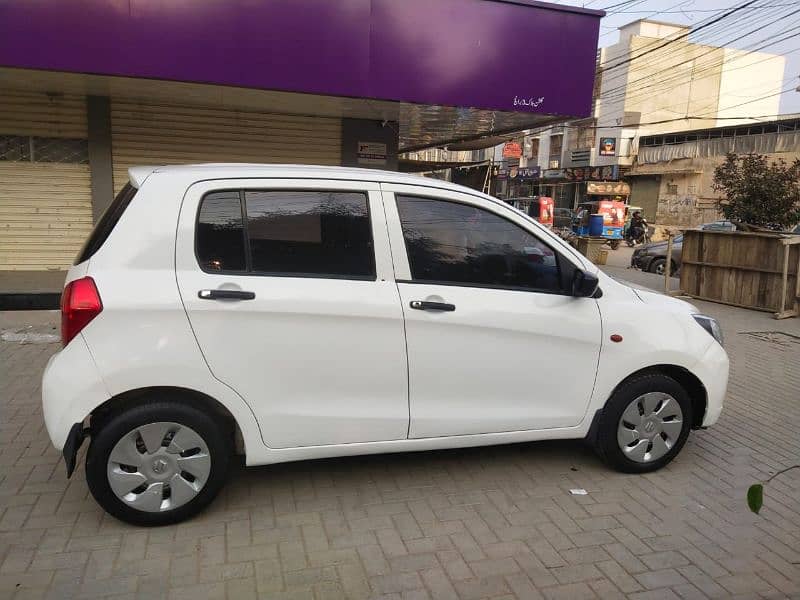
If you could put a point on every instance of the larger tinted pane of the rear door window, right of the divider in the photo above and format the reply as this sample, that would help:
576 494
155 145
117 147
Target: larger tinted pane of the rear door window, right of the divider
310 233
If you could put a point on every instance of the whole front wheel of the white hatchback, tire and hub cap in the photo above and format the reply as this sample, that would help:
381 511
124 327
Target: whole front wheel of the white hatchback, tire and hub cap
644 424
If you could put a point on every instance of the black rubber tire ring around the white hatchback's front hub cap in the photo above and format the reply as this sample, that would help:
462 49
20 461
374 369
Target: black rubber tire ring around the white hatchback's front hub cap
606 444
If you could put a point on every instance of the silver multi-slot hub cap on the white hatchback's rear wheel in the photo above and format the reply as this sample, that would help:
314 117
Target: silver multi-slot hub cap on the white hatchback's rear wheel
159 466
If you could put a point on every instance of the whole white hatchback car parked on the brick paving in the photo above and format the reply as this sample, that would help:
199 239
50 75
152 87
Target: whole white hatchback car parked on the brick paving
296 312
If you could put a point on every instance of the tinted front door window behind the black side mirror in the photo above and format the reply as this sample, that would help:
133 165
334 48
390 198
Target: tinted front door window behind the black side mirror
453 243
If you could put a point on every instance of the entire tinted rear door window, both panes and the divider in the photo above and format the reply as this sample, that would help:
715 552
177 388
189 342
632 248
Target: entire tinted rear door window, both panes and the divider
293 233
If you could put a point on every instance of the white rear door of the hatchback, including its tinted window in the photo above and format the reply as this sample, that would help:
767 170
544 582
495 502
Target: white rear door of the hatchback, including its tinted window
289 289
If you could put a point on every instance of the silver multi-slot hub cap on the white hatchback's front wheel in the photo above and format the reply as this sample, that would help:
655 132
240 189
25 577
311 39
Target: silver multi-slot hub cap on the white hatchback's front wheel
650 426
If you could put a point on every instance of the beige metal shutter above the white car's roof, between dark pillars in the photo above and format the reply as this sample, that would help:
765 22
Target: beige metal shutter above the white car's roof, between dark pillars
159 134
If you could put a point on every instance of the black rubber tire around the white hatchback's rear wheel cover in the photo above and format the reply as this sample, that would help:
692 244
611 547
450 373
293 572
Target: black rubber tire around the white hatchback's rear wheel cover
113 427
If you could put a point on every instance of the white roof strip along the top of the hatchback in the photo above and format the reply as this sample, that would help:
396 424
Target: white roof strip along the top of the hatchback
290 171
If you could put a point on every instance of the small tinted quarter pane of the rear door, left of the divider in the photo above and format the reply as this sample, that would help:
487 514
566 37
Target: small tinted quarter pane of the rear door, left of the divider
220 236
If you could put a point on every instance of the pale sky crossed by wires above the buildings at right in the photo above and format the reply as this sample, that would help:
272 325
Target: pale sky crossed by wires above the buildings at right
769 20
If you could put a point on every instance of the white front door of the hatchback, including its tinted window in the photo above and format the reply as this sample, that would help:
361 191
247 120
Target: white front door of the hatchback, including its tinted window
495 342
